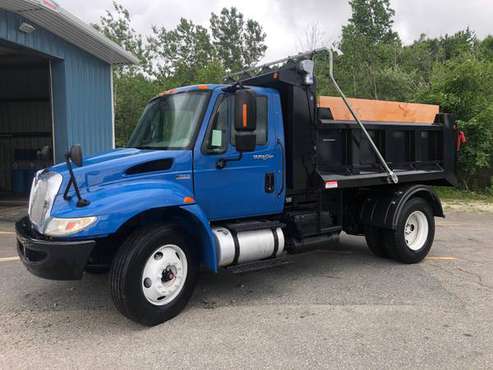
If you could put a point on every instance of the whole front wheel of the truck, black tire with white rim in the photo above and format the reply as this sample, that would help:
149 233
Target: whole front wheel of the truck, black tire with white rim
153 274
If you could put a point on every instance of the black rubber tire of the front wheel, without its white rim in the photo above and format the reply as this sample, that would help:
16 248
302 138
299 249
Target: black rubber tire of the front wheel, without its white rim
128 266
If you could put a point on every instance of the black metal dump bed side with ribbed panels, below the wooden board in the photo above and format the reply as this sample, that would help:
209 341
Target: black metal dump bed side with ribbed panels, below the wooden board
415 152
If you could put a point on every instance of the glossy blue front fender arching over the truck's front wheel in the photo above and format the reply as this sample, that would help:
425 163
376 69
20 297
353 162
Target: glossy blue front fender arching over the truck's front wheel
116 205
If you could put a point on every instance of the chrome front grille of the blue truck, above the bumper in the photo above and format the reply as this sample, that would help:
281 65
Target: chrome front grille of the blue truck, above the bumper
43 192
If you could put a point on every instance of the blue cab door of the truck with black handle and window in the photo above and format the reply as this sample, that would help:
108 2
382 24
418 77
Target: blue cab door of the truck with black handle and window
231 185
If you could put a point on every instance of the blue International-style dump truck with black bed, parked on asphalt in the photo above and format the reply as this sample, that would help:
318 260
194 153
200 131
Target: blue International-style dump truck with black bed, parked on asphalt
221 175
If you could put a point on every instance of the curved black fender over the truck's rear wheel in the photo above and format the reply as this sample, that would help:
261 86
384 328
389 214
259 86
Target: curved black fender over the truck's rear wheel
382 209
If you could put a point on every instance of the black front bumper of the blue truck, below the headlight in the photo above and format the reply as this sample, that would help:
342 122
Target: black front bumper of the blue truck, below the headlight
51 259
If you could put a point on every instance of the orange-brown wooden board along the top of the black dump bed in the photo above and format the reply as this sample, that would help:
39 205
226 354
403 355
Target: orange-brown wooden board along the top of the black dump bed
379 110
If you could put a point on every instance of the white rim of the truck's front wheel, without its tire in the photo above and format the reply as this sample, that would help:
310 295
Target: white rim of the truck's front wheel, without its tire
164 274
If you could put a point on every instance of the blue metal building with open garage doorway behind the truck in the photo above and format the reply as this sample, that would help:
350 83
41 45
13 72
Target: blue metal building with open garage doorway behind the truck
56 87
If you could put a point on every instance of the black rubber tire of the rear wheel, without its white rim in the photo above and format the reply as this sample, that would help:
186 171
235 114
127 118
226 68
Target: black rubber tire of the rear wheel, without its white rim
395 242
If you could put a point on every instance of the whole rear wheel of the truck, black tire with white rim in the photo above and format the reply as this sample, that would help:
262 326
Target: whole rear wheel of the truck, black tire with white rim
415 232
